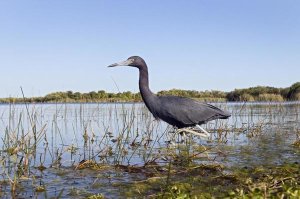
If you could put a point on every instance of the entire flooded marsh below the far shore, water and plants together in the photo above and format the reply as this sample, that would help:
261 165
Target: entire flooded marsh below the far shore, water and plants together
118 150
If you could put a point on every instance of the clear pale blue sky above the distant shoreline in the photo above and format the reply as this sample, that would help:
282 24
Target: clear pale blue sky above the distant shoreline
48 46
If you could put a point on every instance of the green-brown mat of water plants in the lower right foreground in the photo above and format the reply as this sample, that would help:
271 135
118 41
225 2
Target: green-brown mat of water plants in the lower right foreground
211 181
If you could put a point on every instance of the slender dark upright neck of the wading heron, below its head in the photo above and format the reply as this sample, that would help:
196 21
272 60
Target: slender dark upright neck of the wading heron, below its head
146 93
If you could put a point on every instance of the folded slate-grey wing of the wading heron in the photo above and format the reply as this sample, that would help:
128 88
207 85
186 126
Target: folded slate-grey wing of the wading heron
188 111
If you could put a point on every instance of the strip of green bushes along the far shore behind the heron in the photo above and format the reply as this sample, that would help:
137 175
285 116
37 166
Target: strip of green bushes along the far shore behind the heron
259 93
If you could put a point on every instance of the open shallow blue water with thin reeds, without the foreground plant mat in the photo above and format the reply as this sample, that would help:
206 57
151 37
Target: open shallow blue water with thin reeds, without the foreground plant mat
127 134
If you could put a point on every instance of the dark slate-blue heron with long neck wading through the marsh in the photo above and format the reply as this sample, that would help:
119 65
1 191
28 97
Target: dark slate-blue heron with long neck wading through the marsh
184 113
